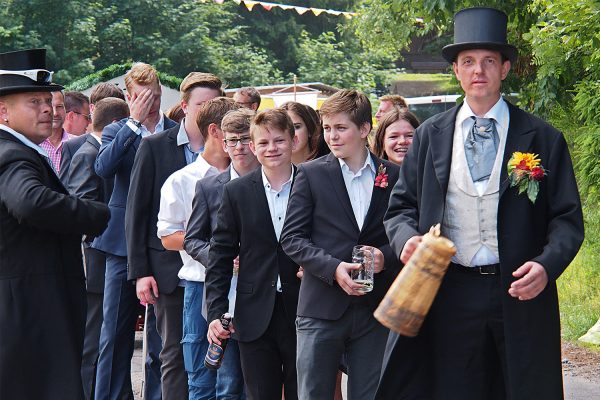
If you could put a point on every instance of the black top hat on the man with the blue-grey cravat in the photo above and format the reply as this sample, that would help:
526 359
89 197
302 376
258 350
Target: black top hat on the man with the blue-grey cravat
479 28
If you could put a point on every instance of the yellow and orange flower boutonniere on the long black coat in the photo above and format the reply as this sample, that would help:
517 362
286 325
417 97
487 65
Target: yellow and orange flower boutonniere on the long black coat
525 172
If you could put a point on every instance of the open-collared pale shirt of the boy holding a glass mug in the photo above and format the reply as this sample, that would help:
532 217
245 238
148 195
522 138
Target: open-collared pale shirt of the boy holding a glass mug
359 187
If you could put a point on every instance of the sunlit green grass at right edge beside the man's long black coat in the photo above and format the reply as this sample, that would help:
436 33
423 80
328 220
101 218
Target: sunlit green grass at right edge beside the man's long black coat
579 285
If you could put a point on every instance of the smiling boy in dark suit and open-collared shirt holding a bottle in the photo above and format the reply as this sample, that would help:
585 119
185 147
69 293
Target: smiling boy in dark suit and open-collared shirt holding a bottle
249 223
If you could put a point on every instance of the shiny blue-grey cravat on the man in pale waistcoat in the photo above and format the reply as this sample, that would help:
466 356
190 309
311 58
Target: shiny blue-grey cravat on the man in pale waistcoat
481 147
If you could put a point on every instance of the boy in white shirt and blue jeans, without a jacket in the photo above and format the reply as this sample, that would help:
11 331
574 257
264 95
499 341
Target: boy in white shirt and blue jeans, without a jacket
175 208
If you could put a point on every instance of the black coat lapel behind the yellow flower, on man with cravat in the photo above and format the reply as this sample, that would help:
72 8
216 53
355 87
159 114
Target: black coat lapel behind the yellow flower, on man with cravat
519 137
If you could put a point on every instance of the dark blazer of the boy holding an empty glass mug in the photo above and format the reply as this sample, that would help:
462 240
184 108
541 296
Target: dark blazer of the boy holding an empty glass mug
320 230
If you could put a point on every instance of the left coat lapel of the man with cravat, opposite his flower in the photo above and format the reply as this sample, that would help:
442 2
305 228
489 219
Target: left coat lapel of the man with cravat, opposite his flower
441 140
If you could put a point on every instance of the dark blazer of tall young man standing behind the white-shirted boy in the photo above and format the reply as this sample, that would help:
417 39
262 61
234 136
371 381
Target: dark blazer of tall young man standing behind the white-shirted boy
157 158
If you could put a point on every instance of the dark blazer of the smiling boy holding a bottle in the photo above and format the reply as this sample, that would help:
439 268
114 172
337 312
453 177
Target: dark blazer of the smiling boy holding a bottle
244 227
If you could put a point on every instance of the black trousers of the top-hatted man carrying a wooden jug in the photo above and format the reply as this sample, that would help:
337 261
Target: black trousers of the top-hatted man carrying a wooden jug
465 331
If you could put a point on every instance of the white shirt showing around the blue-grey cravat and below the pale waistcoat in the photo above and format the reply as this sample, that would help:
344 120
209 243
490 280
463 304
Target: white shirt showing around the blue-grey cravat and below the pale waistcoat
463 125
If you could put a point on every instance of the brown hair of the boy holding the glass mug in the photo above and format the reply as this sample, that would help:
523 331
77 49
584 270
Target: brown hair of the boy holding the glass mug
351 102
